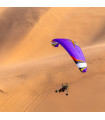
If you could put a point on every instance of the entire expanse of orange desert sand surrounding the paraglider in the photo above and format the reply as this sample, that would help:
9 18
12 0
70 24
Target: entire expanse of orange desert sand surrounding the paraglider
31 69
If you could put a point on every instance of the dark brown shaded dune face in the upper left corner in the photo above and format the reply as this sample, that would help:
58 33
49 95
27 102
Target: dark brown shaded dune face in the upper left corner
15 24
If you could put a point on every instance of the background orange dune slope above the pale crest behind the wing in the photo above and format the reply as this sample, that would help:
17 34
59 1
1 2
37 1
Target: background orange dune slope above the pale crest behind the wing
84 25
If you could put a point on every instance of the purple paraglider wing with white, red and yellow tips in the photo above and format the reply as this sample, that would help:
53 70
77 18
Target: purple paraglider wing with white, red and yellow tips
74 51
